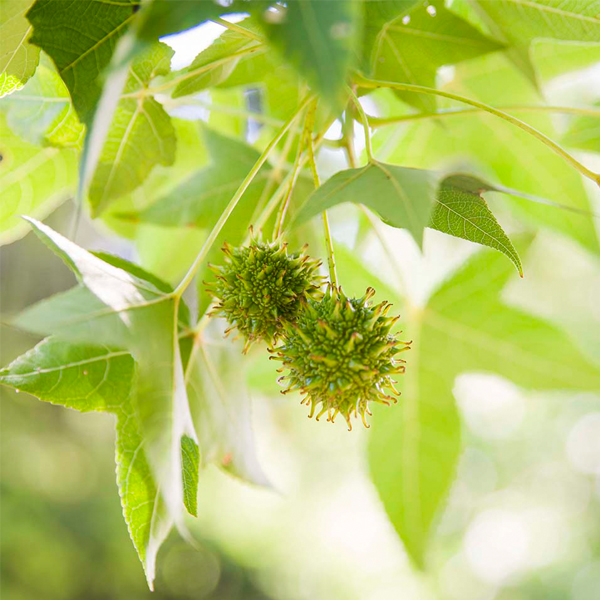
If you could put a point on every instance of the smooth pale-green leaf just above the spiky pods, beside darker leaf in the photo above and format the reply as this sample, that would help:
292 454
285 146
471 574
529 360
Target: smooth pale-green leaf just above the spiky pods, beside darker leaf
401 197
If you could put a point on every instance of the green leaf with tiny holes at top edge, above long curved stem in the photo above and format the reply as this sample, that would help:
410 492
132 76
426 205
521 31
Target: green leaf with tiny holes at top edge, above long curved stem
412 47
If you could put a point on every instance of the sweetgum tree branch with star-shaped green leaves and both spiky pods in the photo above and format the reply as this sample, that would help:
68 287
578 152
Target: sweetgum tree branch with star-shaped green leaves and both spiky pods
239 151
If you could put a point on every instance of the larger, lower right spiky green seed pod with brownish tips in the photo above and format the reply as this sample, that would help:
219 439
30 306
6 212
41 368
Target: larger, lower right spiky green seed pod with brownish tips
341 355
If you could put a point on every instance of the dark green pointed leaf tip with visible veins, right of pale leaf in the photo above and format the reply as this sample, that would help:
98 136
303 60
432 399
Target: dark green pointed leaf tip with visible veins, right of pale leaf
462 212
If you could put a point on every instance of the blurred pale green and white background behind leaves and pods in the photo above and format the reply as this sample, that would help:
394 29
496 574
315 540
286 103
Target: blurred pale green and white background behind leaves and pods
523 517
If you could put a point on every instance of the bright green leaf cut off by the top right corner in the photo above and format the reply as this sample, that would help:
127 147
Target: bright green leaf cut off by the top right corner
519 22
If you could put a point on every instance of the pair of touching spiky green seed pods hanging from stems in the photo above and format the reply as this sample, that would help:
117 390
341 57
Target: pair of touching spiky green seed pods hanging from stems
339 351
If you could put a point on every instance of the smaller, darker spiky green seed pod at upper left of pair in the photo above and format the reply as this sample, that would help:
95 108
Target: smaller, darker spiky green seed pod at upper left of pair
261 287
